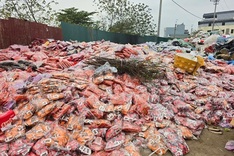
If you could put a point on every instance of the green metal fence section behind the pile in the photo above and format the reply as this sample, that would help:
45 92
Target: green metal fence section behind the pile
79 33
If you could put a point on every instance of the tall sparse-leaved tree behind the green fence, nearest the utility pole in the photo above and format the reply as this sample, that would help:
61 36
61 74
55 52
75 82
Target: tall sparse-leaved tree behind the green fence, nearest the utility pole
125 17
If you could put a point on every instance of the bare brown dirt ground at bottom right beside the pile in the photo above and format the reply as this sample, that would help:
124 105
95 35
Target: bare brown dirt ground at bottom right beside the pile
209 144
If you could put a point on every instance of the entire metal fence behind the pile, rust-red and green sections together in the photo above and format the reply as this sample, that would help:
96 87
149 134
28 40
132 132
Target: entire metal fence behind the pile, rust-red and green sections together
16 31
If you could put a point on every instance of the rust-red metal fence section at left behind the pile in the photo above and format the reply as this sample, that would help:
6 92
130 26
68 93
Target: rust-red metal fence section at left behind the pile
15 31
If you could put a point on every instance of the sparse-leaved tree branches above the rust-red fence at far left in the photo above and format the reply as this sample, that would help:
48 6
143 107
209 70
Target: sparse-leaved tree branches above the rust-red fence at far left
31 10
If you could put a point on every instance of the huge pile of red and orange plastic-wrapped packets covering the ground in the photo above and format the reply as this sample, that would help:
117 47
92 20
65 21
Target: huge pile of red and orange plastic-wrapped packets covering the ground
52 102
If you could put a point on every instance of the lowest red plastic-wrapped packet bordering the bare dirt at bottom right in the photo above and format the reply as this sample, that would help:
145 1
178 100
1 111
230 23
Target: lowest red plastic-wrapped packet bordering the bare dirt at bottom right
174 141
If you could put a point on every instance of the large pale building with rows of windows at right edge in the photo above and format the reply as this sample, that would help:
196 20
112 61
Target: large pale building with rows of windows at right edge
224 22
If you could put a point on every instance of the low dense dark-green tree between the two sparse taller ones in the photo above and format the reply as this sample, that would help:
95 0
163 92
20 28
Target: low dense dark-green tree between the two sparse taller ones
73 16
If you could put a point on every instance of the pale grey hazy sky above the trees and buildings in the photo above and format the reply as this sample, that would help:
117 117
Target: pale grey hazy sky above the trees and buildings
171 13
